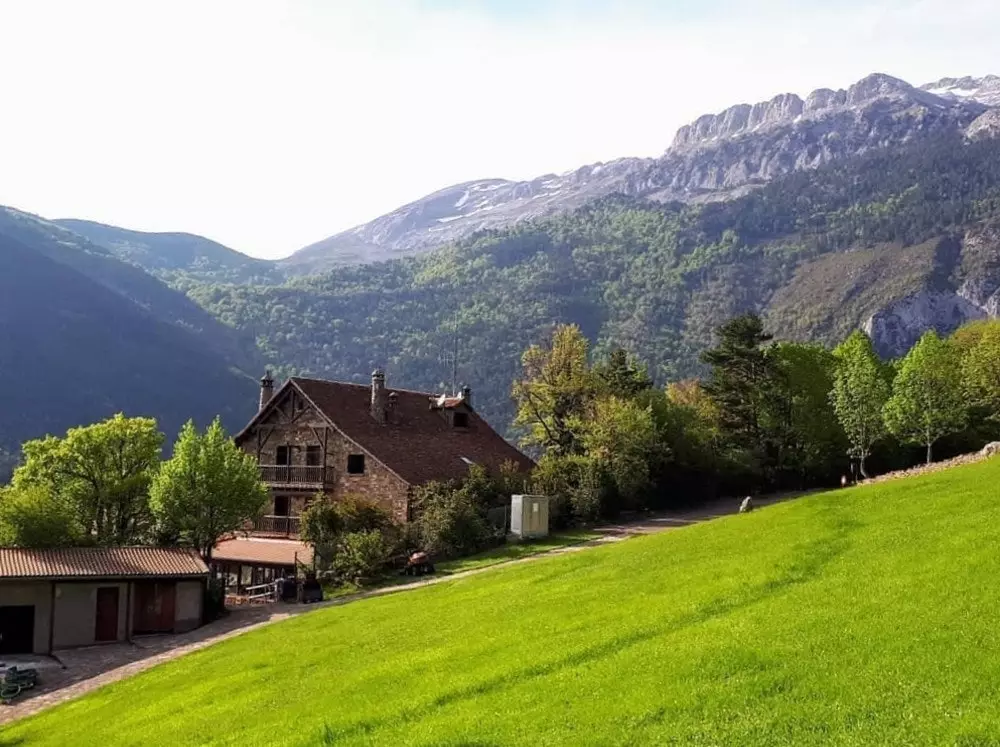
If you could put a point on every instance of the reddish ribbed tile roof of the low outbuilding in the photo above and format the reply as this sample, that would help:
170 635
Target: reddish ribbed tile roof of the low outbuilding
100 562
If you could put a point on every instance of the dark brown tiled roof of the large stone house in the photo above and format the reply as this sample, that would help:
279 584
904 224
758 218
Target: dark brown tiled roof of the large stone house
418 443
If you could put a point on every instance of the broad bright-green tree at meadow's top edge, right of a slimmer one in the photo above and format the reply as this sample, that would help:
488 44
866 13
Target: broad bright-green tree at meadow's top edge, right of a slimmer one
927 401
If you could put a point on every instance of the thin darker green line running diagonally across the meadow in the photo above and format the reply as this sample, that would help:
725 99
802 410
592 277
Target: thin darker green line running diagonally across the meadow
814 557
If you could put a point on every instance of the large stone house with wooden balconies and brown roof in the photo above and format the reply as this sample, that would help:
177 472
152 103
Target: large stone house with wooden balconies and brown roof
314 436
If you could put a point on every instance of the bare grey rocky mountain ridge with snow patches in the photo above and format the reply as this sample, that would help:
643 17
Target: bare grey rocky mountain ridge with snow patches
717 156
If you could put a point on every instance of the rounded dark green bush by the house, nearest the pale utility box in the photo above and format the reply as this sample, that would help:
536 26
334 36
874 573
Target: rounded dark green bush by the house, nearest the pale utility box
449 523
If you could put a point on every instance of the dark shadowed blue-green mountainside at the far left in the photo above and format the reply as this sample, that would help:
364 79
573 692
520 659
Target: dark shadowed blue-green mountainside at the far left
83 336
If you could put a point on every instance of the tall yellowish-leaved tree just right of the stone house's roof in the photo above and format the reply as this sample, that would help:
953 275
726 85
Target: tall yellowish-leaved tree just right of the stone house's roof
555 390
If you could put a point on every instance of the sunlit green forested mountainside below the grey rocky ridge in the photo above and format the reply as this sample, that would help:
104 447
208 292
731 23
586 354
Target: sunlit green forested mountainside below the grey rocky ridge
907 235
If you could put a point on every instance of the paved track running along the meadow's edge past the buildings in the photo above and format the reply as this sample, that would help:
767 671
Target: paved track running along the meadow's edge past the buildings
87 669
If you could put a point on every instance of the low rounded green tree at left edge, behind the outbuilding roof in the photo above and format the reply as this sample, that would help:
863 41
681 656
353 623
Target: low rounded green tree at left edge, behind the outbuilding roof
36 517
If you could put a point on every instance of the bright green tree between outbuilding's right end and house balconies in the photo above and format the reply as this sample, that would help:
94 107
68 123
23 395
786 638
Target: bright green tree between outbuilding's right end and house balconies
207 488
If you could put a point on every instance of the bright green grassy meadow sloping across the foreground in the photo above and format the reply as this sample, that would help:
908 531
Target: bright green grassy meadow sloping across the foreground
865 616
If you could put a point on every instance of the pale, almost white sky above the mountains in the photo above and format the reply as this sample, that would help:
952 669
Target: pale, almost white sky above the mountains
271 124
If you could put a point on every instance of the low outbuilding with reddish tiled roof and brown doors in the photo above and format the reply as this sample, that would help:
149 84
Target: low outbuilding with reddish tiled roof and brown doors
66 597
